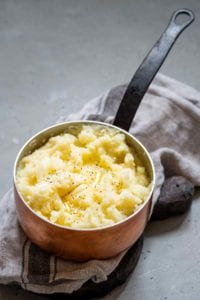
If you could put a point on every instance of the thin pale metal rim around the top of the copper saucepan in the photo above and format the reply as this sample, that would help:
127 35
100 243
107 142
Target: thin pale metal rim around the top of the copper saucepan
148 198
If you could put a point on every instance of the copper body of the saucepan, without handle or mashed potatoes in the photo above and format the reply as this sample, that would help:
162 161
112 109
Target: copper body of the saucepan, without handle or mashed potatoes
82 244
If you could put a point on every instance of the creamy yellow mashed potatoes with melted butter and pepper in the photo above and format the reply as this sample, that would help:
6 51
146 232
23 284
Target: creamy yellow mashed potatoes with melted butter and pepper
89 180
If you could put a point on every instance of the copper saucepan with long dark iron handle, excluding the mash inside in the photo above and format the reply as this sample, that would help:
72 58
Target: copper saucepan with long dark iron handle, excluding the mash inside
99 243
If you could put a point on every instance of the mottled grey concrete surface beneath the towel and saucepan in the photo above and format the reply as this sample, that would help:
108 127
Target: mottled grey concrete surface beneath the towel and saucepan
54 57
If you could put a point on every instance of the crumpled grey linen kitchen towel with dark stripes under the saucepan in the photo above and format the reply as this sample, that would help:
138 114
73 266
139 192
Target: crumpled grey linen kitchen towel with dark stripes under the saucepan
168 124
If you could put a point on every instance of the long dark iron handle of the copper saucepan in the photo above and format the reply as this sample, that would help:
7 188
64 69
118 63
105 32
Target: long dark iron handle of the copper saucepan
149 67
